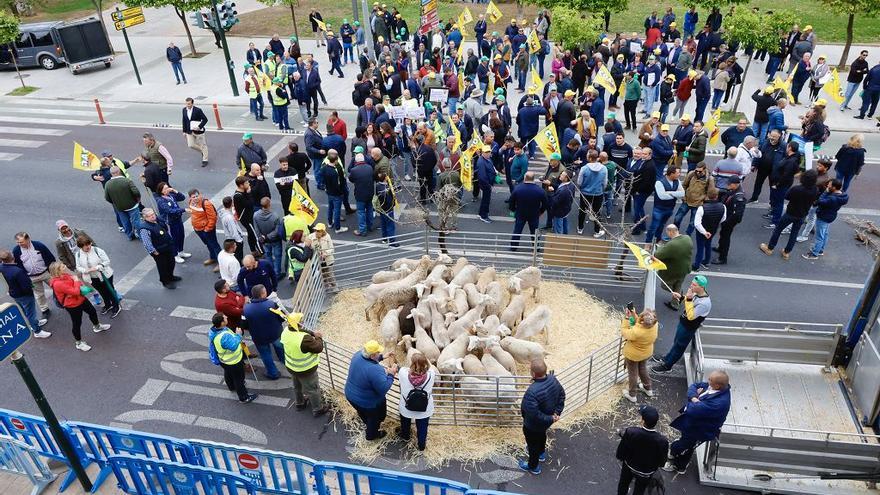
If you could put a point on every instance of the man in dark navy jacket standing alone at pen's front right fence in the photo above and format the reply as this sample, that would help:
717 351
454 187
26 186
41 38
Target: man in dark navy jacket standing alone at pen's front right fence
541 406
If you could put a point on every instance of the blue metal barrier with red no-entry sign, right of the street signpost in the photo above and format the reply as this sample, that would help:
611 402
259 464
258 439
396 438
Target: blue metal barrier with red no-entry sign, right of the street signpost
270 471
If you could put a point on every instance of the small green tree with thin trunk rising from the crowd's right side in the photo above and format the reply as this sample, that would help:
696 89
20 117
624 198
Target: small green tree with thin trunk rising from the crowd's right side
758 31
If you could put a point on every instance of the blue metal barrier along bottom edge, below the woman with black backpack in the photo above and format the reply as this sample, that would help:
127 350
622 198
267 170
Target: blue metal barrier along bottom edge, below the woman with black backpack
332 478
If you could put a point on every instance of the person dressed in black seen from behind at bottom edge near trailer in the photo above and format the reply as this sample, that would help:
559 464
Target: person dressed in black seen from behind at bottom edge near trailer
642 451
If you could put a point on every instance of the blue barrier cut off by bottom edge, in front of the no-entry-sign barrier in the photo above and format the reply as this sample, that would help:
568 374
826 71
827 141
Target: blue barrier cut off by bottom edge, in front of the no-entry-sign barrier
139 476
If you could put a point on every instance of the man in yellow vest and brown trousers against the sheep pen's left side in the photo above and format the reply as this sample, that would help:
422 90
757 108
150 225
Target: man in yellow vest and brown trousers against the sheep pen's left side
302 355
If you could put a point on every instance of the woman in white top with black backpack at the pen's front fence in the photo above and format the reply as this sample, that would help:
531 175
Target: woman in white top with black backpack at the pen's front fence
416 400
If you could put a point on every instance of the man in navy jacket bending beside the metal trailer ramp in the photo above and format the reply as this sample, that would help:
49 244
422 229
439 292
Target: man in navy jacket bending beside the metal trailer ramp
700 420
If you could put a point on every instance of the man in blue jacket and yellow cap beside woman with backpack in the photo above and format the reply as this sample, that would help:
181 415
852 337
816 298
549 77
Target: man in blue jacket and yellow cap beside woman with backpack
367 383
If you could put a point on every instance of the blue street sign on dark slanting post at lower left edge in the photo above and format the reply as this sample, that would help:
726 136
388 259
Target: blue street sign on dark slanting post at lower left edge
14 332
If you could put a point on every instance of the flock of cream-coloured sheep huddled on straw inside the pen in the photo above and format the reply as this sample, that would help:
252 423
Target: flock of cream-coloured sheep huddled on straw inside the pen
461 318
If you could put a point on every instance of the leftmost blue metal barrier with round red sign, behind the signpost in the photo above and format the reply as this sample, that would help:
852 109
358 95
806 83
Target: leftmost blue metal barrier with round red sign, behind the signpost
34 432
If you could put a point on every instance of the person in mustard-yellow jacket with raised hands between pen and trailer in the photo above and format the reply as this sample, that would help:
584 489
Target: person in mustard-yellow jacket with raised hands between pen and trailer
639 332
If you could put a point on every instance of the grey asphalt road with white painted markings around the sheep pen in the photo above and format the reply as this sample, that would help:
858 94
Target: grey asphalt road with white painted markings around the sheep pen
150 370
